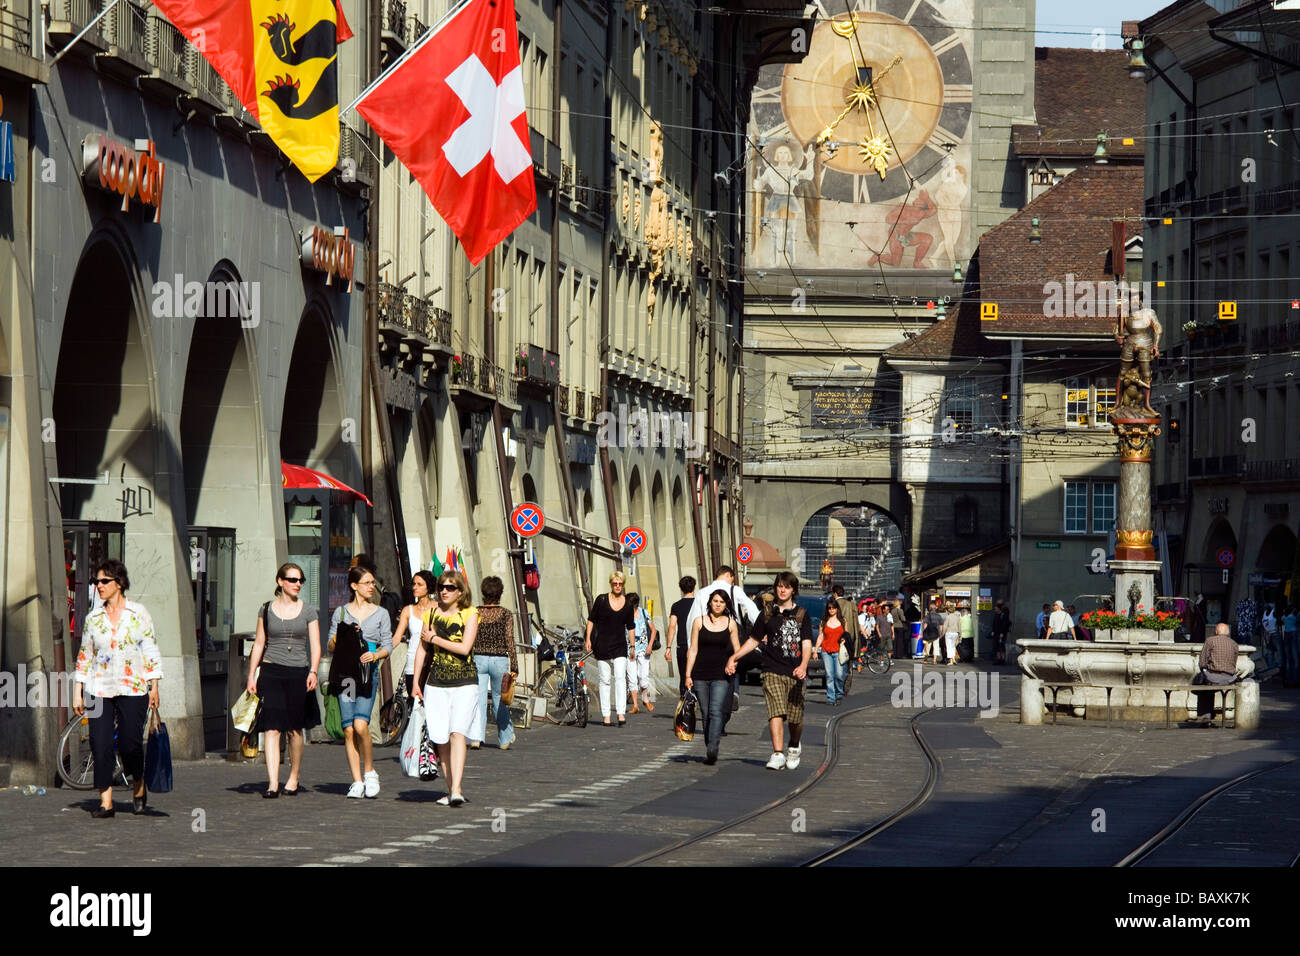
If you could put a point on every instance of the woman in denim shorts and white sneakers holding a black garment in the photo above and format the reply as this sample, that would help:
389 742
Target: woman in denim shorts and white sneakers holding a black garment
354 711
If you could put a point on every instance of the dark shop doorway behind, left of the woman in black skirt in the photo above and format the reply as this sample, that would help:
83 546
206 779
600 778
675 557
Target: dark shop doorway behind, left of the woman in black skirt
213 576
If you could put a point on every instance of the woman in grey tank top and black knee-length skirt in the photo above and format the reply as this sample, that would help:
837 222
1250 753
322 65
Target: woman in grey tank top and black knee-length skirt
289 651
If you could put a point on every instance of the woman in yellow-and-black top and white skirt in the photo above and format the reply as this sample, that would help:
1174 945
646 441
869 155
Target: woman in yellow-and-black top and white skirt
448 681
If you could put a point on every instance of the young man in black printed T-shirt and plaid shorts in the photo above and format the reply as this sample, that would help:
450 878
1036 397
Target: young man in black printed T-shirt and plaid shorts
785 637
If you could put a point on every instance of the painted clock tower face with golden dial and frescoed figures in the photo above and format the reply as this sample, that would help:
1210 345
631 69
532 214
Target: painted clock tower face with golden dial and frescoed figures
861 154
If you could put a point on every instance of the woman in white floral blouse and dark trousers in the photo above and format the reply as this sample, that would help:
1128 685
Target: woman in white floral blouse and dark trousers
119 671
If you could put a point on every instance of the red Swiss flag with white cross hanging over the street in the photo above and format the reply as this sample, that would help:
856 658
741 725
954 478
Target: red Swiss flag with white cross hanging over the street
453 111
